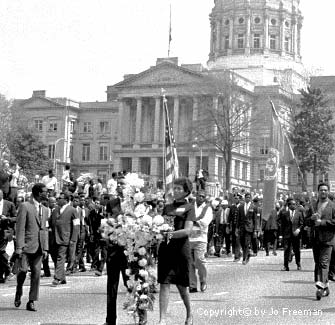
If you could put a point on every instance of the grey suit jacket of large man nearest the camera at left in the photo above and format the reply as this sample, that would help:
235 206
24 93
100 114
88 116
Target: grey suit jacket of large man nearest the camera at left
31 229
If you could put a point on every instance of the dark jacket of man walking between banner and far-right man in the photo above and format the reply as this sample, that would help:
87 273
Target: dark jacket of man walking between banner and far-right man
288 226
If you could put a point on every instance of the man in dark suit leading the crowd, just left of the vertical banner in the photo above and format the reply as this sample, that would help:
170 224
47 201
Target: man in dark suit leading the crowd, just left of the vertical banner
246 226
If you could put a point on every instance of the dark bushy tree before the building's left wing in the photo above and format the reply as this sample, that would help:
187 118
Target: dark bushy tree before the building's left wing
27 150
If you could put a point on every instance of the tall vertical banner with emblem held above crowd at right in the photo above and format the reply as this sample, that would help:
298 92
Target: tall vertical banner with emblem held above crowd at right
270 183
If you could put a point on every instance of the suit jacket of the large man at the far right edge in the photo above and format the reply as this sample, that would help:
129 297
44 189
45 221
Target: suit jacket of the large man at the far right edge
325 233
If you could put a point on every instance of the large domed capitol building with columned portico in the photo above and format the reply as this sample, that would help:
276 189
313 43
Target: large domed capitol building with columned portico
257 43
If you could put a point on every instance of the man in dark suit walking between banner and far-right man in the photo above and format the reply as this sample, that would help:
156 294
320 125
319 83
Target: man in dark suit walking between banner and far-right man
291 224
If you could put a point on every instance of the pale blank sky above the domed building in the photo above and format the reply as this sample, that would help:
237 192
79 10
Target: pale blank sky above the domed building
75 48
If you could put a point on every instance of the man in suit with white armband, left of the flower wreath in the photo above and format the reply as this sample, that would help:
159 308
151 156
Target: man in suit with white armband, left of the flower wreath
65 227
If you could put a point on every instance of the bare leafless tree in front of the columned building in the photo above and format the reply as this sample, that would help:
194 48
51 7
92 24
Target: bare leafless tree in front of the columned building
225 124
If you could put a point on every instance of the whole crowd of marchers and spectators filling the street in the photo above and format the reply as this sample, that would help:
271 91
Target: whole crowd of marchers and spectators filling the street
66 225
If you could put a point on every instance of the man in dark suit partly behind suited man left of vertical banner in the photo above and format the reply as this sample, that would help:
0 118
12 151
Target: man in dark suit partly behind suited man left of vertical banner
233 226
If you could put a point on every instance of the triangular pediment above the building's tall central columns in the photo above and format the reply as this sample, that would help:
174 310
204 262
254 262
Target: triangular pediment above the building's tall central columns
164 74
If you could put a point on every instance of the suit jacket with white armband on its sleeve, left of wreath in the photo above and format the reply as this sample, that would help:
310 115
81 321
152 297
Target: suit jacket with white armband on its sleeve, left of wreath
65 226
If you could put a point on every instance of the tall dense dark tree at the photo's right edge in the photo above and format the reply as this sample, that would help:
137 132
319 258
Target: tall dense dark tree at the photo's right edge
312 134
